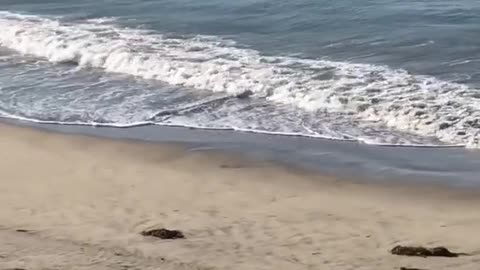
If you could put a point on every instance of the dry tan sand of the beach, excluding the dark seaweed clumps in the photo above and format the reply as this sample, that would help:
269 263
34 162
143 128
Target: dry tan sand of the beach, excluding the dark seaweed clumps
85 200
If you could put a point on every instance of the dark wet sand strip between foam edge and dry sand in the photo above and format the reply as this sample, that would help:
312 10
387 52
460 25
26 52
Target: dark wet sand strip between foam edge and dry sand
450 167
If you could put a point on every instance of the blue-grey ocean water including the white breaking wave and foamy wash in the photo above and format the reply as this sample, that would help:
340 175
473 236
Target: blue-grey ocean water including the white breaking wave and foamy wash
375 71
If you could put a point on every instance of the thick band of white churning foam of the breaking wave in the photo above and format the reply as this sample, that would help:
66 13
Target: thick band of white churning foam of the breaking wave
368 96
